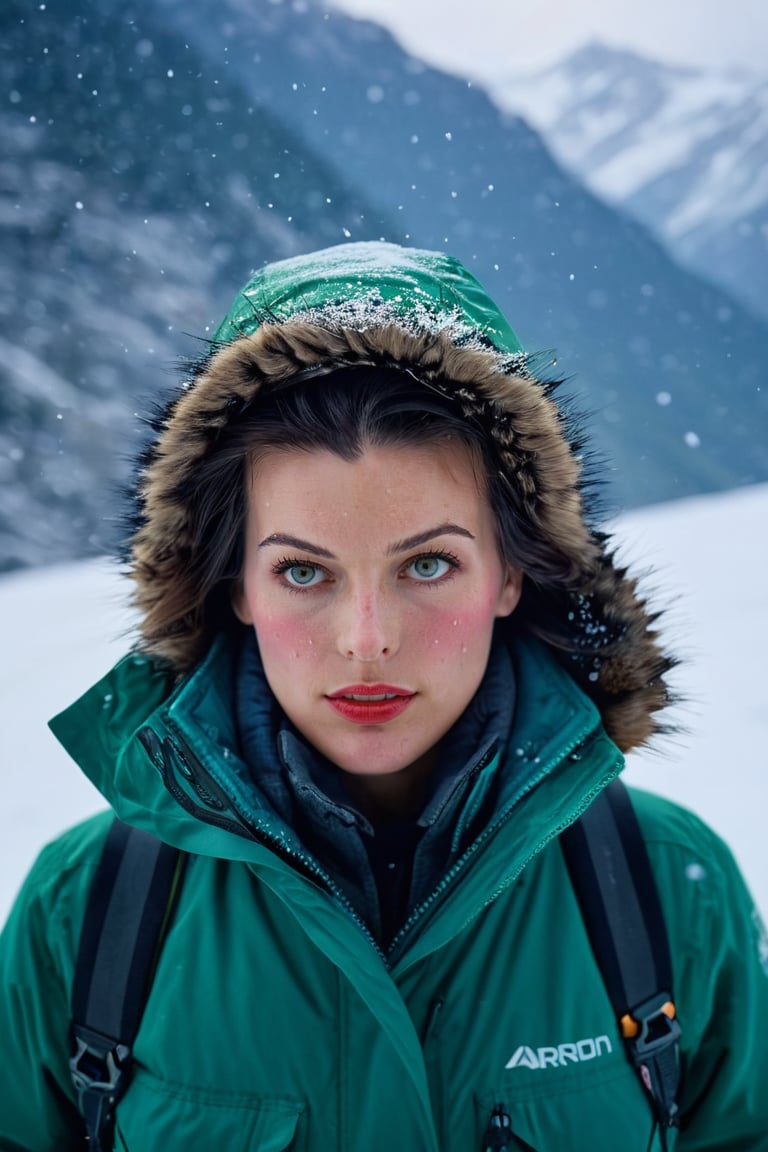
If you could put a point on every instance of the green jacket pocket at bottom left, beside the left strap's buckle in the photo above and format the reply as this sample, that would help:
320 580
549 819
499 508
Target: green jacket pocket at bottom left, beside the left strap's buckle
161 1117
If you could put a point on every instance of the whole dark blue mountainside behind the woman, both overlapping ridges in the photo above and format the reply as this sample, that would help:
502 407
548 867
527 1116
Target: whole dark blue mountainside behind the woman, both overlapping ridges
155 155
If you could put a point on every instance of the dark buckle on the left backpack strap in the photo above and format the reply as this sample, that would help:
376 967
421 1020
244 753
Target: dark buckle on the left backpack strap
97 1071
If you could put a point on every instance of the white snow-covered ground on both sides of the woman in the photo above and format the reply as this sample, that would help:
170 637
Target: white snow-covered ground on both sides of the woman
63 627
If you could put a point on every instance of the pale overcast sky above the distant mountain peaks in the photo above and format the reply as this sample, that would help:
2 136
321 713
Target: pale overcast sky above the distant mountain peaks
467 36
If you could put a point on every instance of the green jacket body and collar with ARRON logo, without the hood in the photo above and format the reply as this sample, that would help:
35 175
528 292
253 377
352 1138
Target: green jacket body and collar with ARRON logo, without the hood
275 1022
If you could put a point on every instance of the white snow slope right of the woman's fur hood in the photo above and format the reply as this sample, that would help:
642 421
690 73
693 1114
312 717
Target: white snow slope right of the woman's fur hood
710 558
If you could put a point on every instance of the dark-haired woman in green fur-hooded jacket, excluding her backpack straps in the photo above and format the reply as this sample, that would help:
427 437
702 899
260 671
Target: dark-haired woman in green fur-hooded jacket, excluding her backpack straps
385 662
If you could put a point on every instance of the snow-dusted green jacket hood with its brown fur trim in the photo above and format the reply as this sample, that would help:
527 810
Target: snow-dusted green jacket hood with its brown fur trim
423 313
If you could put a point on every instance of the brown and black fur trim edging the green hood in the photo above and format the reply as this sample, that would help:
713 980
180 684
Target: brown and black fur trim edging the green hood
577 601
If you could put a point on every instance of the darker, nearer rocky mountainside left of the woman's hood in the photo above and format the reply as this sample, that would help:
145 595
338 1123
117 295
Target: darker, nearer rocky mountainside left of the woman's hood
136 193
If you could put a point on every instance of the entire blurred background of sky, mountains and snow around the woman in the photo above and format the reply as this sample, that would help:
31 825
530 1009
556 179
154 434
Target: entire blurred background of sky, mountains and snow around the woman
603 170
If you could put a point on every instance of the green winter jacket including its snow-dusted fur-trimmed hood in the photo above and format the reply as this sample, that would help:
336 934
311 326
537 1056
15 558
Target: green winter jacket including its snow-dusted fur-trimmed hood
275 1022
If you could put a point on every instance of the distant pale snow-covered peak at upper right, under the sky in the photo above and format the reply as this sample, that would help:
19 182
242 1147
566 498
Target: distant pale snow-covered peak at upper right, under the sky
683 150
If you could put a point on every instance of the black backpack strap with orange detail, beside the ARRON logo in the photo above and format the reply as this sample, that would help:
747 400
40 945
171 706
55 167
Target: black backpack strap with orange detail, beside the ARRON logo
611 873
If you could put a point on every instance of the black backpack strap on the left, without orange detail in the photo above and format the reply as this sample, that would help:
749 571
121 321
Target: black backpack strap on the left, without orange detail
128 911
